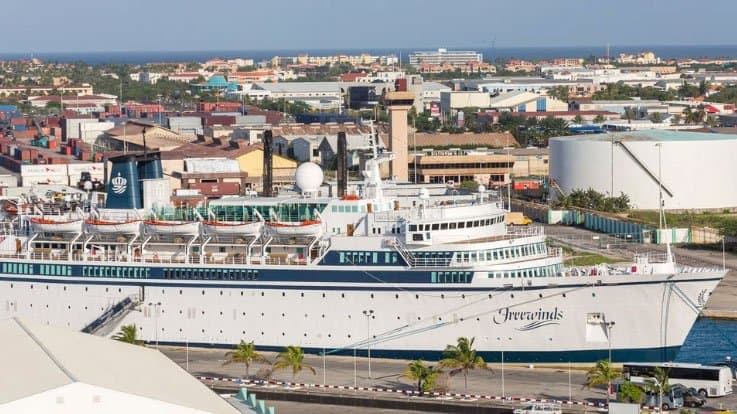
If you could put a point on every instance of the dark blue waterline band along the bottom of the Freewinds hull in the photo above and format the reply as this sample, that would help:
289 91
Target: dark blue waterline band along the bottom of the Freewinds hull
664 354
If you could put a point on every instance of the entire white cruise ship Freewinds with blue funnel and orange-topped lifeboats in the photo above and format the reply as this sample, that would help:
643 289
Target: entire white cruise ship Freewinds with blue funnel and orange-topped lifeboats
363 269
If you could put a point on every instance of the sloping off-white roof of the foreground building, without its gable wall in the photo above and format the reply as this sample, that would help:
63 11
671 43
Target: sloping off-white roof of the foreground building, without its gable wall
38 358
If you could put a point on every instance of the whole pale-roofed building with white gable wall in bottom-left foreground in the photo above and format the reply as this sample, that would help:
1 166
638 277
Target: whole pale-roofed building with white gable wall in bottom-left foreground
50 369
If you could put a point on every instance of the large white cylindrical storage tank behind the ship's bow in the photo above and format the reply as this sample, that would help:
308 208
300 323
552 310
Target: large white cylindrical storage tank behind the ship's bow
695 170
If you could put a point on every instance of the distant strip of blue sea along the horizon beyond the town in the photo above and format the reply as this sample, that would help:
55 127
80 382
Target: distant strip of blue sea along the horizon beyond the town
133 57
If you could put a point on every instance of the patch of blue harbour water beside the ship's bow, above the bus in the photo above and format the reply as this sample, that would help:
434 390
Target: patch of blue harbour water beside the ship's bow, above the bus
710 341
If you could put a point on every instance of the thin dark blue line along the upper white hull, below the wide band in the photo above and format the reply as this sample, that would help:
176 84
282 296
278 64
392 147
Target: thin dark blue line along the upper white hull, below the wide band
378 287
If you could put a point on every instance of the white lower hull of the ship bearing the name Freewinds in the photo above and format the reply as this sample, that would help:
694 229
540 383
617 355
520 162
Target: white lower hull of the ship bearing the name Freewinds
551 319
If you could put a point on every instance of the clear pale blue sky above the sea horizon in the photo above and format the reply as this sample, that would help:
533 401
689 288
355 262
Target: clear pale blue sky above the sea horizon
194 25
